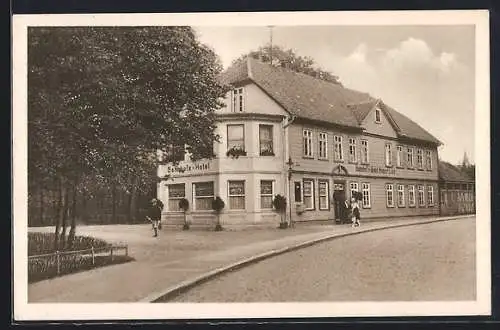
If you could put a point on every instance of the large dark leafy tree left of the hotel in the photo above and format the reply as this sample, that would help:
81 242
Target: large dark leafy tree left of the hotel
103 100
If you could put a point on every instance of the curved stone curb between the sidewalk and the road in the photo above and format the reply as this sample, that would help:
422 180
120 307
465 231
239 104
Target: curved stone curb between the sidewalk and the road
178 289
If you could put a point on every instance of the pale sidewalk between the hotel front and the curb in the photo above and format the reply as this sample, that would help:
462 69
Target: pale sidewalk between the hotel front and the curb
173 259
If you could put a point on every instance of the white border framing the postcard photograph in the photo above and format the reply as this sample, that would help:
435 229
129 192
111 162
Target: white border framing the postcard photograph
31 311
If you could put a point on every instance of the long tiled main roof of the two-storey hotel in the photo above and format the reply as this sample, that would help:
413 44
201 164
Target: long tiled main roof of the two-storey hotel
312 98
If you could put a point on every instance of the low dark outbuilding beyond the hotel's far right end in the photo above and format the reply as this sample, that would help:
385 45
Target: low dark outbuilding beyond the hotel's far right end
457 190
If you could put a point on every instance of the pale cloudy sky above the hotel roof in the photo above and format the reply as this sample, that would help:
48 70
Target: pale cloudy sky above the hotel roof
425 72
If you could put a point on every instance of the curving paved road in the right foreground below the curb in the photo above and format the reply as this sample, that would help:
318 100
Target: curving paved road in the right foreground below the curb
426 262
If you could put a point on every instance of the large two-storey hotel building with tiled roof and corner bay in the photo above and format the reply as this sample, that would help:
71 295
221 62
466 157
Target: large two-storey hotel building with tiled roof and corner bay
312 141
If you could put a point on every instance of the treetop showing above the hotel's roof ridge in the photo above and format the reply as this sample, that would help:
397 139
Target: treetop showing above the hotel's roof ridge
289 59
